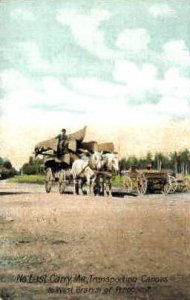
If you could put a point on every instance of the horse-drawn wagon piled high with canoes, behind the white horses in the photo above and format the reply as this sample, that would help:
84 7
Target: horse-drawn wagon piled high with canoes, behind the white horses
58 165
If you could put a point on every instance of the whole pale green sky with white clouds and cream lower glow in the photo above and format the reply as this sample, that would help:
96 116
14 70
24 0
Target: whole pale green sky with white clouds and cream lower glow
120 67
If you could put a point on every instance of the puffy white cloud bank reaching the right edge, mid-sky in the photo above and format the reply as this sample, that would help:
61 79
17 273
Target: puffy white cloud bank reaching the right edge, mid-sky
135 85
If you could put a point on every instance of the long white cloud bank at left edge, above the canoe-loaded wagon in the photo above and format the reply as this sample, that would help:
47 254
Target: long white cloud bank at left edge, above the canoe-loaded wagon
24 97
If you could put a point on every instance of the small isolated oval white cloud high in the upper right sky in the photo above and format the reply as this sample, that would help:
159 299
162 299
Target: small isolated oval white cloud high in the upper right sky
133 39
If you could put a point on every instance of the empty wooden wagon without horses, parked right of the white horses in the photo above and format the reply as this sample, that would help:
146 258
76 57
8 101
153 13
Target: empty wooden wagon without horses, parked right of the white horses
148 181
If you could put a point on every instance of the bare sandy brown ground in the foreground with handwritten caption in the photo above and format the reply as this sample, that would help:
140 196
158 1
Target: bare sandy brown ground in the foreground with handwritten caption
122 248
